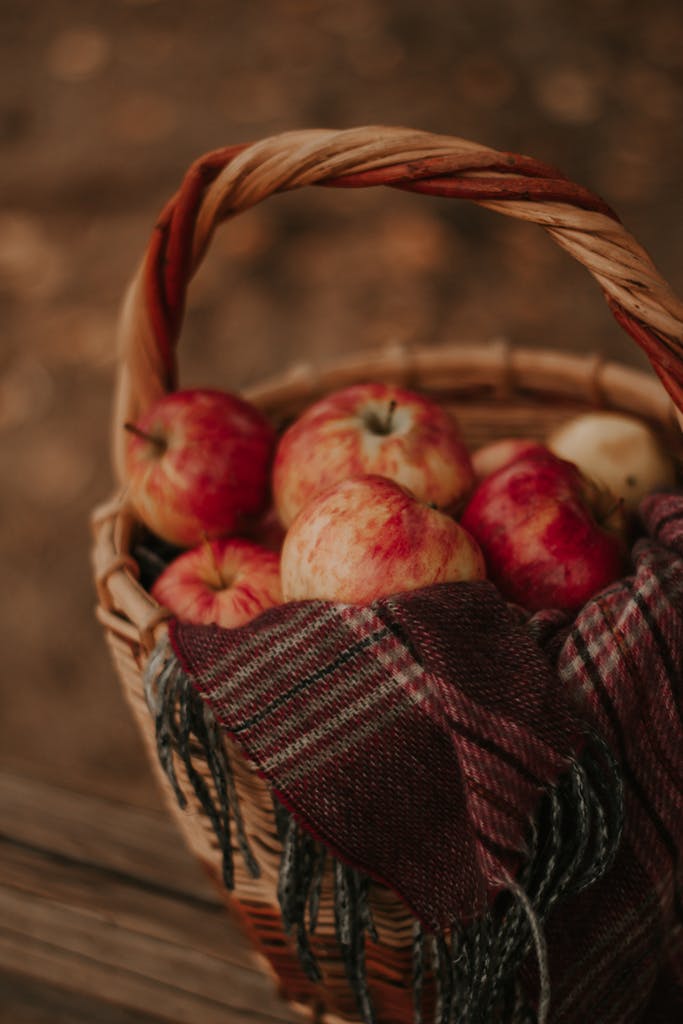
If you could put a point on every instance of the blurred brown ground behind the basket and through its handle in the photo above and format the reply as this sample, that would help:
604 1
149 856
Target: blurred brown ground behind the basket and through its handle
103 106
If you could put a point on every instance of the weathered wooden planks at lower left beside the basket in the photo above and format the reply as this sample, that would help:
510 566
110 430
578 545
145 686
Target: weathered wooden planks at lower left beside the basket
106 919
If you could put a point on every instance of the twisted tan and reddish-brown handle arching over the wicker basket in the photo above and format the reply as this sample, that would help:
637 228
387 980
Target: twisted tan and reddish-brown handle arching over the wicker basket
227 182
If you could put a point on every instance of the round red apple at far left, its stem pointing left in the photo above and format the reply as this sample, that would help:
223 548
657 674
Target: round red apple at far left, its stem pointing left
198 464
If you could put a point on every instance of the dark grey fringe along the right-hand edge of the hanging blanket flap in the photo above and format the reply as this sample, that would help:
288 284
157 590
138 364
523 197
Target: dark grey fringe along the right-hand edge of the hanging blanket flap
573 843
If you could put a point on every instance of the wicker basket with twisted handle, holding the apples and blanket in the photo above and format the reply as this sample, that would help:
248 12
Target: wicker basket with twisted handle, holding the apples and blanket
496 391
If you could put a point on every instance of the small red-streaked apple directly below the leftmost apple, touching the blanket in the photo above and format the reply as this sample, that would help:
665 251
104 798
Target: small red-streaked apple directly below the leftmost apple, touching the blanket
227 582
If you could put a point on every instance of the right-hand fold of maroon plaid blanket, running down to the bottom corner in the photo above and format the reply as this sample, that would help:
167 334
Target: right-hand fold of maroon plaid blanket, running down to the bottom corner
620 943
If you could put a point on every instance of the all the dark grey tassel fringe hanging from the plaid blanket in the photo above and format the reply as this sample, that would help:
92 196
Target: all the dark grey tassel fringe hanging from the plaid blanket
473 973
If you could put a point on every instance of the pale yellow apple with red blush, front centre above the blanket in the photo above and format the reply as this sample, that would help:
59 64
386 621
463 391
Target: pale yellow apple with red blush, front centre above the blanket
368 537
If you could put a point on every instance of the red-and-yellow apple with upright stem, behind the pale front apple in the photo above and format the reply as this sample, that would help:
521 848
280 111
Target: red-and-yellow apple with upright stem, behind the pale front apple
377 430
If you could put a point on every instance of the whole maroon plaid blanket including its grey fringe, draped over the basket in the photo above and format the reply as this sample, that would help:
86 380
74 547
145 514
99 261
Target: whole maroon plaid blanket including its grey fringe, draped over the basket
518 781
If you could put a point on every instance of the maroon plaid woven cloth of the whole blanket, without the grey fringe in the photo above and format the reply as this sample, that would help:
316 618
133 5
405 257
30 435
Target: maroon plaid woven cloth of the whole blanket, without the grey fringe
416 739
